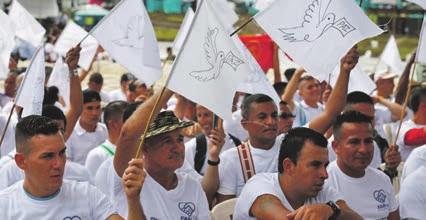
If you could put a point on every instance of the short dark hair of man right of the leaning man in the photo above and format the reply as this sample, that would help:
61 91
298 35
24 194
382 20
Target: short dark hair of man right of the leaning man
349 117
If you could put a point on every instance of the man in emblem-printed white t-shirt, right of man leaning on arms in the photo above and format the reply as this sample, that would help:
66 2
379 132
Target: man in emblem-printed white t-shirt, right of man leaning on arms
367 190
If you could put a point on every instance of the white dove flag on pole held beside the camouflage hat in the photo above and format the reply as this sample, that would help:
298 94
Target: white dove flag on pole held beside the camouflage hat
209 67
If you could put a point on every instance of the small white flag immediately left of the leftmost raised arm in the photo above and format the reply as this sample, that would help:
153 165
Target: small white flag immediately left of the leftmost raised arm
61 79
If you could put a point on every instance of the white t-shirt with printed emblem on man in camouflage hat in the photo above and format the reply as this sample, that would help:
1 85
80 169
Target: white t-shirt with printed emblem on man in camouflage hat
186 201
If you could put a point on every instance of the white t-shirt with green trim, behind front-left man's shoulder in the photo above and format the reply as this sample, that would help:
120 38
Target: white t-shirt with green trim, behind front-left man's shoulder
98 155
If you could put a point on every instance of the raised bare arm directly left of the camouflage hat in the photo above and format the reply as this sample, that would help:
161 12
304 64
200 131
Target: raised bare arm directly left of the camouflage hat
133 128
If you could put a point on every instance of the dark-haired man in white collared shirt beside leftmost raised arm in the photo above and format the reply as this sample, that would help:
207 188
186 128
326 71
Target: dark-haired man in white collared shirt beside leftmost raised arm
88 132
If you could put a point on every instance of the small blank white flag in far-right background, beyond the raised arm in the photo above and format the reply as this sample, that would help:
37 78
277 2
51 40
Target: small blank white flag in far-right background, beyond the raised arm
390 56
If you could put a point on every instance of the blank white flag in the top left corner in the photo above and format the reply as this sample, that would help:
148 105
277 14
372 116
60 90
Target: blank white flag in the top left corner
27 27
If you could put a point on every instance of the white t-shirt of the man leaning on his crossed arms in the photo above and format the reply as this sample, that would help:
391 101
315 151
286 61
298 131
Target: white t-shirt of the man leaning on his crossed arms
267 183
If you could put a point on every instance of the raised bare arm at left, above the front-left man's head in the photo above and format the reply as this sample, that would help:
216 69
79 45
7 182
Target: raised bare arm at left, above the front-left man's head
76 95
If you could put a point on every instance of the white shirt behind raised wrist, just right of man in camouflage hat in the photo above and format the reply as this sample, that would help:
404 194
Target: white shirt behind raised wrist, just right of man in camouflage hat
191 148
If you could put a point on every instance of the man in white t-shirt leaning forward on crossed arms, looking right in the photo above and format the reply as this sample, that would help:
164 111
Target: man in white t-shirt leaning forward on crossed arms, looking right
297 191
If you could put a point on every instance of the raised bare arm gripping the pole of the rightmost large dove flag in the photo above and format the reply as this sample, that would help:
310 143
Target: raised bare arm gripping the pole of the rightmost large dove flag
337 100
